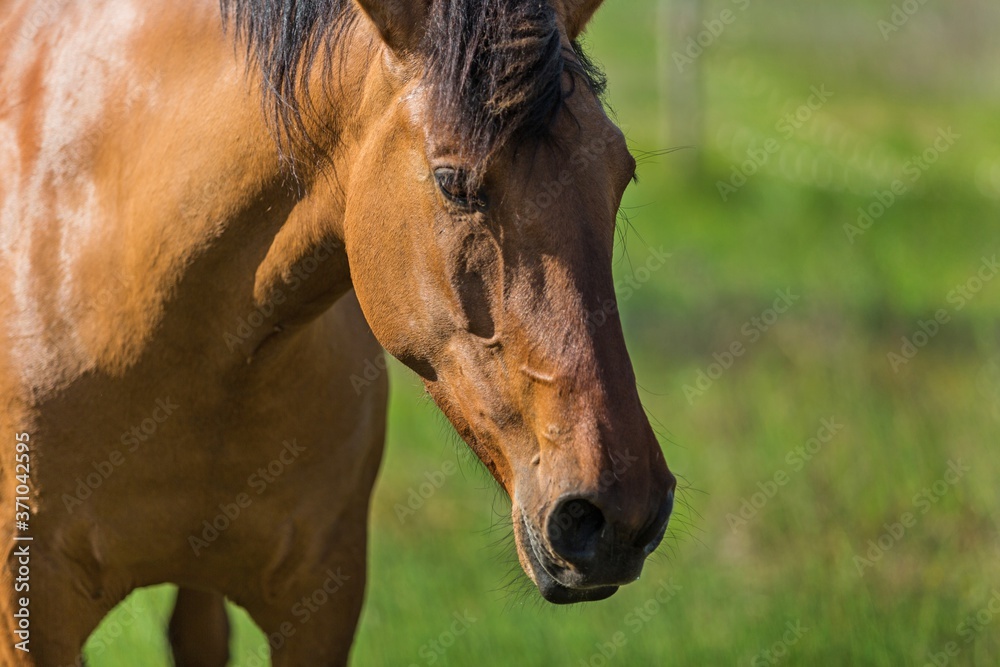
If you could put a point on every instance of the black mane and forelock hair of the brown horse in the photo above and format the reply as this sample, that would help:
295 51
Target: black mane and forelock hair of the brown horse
494 68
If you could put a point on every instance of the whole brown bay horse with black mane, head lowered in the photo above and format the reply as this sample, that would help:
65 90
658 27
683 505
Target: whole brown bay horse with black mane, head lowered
213 218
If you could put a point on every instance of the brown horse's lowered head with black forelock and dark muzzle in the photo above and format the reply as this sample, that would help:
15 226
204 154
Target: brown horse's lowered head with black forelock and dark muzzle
479 223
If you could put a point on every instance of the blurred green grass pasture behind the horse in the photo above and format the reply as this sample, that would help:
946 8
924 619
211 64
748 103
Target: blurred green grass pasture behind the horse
819 350
